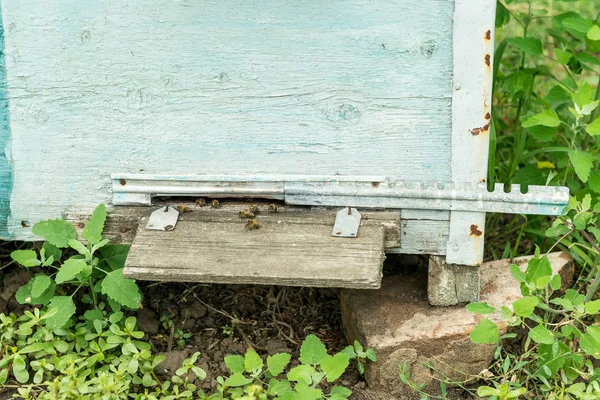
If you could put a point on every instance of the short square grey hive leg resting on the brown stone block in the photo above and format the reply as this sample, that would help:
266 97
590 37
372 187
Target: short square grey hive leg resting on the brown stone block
450 284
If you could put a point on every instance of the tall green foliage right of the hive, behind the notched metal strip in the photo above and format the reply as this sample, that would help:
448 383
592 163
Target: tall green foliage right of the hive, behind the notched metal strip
545 117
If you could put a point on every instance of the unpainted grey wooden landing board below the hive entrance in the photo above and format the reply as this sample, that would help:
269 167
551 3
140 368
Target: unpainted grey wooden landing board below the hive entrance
293 249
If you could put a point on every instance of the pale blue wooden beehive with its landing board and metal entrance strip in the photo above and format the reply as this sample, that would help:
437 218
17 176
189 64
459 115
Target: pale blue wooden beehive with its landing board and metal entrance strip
329 103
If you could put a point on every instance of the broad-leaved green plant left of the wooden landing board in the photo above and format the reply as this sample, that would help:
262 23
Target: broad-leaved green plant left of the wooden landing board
97 267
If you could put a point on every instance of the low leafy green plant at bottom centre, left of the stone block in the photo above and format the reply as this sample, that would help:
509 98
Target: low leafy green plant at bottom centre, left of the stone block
252 378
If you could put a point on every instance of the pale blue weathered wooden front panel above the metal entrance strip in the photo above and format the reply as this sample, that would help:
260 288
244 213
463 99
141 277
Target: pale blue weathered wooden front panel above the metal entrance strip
355 87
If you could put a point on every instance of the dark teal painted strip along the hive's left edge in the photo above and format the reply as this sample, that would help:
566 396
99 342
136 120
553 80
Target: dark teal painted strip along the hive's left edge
6 178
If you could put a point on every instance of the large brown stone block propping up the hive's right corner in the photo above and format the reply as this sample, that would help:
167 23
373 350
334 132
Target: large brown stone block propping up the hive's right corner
400 324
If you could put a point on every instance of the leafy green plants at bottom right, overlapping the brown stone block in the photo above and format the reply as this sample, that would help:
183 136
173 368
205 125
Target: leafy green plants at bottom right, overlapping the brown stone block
561 337
